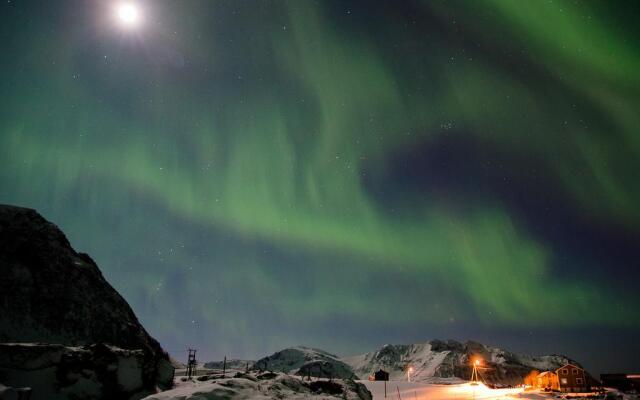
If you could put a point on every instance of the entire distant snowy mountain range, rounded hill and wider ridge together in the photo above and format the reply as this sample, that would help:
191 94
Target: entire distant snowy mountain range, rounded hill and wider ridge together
435 360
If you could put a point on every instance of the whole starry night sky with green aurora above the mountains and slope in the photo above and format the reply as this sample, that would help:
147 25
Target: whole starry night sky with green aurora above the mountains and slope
252 175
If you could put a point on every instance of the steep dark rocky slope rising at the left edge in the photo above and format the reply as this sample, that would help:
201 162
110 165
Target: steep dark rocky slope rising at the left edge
49 293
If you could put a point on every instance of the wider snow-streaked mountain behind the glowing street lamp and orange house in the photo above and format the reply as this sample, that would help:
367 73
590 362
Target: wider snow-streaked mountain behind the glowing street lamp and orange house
450 359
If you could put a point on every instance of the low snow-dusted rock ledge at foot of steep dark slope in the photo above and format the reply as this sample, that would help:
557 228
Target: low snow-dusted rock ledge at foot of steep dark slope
94 371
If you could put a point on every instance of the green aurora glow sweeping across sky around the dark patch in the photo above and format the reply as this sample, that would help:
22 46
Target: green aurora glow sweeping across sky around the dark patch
278 153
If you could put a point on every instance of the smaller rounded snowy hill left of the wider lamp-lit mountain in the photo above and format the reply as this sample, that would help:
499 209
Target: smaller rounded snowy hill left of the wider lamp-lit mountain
306 361
